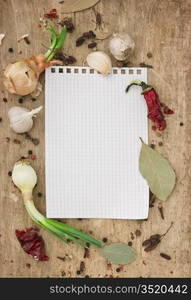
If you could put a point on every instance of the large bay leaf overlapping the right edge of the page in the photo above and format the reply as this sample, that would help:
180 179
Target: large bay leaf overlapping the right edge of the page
157 171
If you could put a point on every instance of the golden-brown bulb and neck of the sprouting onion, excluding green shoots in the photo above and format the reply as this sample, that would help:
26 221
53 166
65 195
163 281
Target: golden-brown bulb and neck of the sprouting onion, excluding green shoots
21 77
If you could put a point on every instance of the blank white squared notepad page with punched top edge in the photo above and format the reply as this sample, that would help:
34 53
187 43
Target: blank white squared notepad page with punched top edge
92 132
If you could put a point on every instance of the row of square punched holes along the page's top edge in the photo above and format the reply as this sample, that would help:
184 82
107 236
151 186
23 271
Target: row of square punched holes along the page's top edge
87 70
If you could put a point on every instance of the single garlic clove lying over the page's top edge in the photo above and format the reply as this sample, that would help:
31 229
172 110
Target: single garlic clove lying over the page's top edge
100 61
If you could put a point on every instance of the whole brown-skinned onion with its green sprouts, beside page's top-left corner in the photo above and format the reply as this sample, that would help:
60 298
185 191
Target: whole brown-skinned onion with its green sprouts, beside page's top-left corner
22 77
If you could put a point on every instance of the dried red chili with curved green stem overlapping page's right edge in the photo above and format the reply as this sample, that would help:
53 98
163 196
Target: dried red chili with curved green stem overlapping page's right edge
154 106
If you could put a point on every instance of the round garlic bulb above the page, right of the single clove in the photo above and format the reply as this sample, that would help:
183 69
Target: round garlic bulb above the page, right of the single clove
121 46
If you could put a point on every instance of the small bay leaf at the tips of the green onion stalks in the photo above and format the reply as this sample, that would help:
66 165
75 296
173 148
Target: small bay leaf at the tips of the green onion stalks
118 253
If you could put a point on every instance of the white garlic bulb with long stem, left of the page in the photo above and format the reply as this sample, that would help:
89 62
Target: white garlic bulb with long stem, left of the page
21 118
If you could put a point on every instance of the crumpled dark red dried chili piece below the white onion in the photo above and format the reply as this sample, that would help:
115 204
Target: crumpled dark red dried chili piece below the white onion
32 243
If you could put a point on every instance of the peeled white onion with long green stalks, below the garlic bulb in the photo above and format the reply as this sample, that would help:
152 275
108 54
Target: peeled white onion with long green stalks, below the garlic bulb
25 178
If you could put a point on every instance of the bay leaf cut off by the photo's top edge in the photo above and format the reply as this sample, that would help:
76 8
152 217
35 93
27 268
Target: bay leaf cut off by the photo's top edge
77 5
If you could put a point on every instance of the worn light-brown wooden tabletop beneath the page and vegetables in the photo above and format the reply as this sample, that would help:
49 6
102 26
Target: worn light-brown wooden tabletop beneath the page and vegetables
160 27
